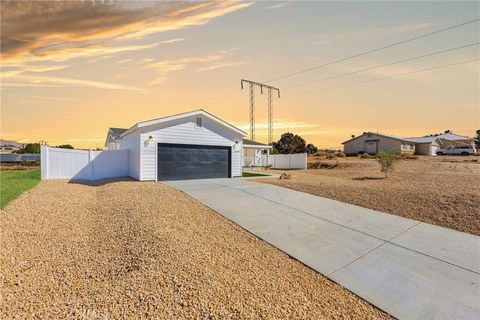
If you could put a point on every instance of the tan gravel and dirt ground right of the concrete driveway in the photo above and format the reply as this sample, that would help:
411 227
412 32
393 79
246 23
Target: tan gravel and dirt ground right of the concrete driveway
439 190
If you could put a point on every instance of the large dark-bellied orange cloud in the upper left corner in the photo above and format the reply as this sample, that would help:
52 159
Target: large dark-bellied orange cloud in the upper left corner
61 29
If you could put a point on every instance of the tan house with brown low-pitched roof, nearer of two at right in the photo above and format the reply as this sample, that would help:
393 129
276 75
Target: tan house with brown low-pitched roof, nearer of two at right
372 143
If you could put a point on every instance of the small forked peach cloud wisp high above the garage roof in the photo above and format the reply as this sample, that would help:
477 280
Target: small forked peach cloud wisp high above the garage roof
163 68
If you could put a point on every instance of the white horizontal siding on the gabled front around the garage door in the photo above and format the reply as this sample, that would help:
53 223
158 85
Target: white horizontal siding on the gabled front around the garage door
185 131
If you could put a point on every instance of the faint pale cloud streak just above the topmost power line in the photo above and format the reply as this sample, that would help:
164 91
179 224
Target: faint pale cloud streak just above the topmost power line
363 34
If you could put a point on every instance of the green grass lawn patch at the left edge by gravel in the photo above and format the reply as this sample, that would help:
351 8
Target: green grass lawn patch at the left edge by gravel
14 182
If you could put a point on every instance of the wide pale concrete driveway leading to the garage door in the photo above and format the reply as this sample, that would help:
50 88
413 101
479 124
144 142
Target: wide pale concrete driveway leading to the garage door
409 269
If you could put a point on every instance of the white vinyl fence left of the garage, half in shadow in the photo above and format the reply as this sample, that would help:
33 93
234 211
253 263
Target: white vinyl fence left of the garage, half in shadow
57 163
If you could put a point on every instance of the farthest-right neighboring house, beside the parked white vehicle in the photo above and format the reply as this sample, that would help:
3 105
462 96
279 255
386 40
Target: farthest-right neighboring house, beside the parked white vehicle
428 145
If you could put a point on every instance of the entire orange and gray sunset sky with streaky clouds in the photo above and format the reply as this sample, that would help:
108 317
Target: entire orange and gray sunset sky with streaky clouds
70 70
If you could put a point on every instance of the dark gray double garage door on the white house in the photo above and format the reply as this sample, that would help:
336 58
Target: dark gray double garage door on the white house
181 161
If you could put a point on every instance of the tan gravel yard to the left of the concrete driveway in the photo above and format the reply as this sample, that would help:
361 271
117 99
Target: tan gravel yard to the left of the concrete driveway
124 249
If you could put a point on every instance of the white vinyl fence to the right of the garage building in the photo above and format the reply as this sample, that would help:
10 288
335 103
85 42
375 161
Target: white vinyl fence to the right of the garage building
278 161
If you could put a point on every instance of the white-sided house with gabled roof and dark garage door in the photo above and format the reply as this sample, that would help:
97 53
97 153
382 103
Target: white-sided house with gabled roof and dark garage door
189 145
